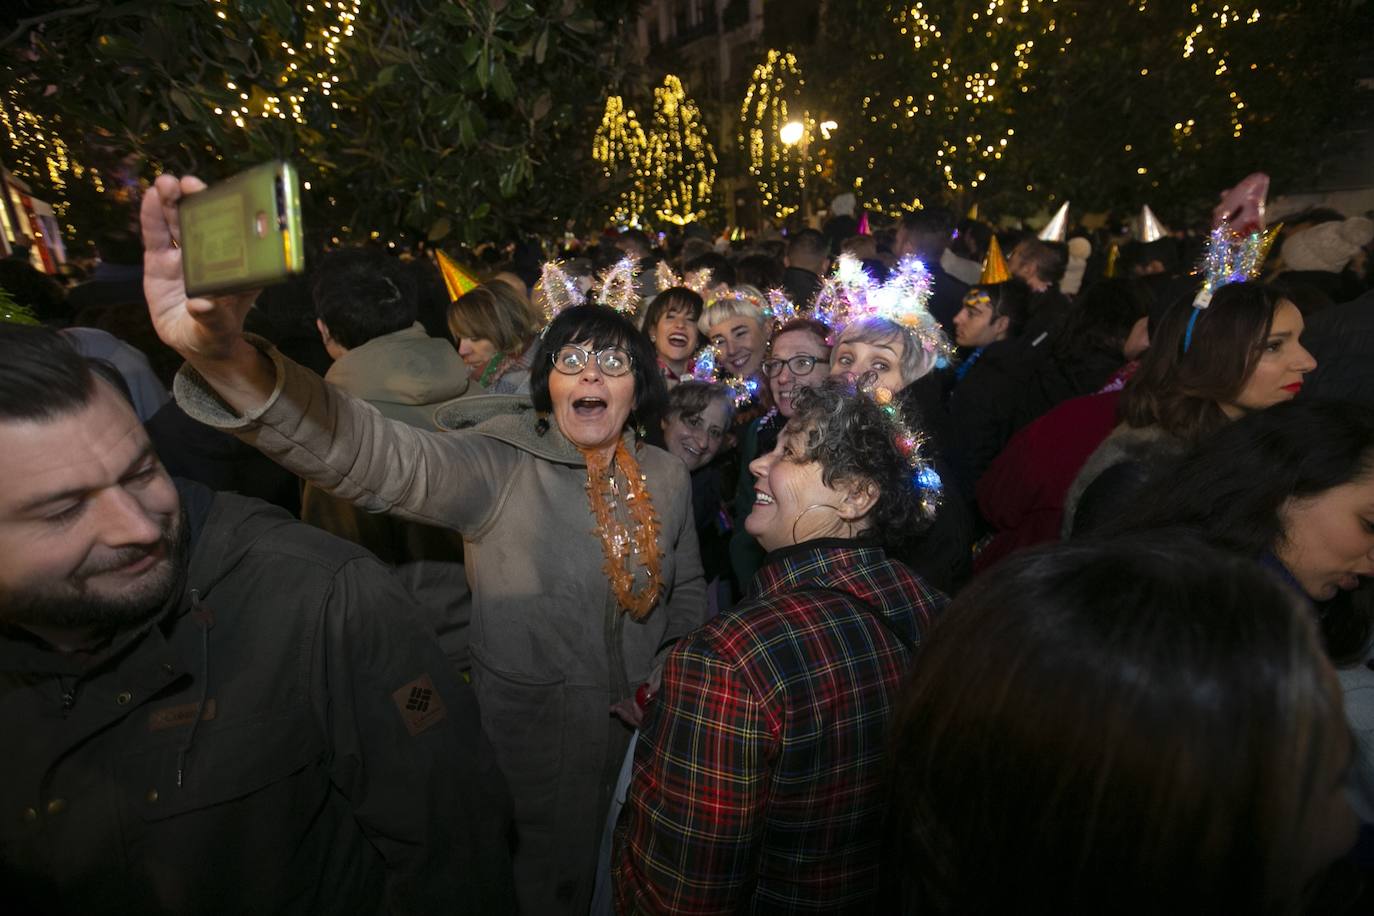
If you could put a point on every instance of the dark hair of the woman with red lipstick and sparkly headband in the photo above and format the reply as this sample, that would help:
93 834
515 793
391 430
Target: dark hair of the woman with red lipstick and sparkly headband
1182 392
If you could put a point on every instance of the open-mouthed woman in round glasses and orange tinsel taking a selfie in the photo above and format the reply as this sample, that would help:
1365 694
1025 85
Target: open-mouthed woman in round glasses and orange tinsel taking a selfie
579 542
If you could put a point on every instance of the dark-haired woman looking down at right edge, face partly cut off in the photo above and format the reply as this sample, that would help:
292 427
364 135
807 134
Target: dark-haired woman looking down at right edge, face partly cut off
1294 488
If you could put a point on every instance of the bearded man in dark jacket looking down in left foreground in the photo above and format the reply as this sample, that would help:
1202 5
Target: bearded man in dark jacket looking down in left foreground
210 707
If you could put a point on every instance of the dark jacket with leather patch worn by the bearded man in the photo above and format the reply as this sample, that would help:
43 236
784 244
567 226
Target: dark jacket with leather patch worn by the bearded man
282 738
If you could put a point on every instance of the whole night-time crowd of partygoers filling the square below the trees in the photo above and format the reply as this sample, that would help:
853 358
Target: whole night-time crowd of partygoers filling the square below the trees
842 573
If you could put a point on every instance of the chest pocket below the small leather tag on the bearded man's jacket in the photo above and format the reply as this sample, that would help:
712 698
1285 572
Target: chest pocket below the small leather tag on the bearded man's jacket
225 763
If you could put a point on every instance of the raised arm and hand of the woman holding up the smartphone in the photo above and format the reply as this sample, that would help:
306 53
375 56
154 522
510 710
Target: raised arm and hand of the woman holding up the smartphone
288 413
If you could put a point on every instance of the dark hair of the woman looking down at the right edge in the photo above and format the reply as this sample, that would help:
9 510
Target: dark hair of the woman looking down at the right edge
1232 488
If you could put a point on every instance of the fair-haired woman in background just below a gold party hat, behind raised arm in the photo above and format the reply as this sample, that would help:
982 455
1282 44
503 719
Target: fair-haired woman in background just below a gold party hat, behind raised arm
497 333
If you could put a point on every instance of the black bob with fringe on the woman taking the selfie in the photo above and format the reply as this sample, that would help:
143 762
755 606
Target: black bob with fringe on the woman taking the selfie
600 328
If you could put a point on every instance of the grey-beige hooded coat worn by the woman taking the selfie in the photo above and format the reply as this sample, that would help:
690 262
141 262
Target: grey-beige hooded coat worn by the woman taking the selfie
552 650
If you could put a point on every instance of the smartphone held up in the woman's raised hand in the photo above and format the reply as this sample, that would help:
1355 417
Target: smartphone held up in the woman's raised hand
244 233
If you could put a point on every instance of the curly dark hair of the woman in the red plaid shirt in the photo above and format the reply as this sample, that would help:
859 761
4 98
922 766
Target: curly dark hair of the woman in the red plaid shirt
853 440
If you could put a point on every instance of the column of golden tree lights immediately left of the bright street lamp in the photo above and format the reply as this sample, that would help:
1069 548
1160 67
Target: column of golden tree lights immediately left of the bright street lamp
772 101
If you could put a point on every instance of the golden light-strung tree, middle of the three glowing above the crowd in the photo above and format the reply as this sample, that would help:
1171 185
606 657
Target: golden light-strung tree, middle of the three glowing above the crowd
681 164
